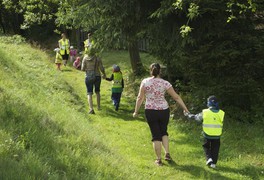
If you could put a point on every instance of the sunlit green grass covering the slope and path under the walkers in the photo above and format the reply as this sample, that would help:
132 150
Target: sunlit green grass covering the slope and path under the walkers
46 133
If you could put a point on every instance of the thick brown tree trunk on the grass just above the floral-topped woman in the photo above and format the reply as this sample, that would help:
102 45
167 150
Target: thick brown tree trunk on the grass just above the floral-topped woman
135 60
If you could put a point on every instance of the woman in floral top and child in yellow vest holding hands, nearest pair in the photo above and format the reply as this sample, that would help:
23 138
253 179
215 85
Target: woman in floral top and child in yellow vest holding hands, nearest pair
157 113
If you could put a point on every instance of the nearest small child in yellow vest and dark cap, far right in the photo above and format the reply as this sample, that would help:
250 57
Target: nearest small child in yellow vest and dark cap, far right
212 118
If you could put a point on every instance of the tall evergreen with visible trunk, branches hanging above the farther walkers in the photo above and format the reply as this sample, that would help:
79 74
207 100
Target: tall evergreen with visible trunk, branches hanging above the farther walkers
113 21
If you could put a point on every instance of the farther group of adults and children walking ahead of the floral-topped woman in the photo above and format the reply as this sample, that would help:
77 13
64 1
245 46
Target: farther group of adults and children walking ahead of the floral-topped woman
94 69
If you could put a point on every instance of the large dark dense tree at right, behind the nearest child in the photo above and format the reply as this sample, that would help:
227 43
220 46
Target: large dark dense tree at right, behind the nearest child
217 47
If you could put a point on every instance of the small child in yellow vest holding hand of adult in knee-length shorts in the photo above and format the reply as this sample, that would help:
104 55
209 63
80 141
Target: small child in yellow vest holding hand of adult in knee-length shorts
118 85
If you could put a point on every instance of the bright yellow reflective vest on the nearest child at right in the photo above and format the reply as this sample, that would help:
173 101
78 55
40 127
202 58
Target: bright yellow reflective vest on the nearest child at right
213 122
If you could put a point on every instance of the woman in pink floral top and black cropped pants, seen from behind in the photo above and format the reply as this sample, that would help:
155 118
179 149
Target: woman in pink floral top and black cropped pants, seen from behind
157 109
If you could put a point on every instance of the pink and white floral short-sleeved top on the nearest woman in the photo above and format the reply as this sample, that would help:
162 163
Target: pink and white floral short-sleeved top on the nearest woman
155 89
